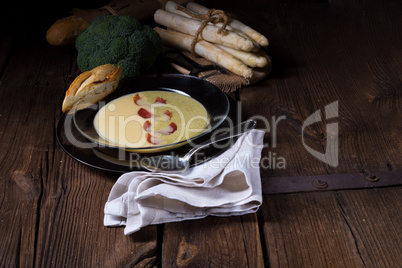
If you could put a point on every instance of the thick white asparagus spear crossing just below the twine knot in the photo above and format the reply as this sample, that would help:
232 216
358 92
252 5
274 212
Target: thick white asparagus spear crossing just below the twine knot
210 33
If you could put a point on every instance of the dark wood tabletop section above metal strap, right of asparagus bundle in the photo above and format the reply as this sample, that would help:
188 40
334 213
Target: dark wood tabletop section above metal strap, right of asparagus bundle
324 53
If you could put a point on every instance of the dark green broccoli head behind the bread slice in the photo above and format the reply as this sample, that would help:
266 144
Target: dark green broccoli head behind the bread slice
119 40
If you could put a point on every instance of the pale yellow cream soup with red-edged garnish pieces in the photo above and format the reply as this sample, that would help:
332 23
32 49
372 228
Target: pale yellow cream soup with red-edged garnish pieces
150 118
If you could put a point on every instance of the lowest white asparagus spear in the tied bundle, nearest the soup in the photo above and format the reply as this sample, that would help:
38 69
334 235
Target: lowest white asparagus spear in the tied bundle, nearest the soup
204 49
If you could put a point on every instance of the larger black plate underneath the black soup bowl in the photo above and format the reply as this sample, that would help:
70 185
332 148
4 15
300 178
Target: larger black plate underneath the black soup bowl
121 161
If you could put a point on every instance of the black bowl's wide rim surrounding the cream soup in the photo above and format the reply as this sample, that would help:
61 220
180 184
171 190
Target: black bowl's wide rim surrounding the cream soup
208 95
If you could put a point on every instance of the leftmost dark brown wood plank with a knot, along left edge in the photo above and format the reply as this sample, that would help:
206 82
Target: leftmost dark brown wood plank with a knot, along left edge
24 147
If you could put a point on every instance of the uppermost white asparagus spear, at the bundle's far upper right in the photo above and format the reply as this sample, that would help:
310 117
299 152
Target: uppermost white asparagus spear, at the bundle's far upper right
253 34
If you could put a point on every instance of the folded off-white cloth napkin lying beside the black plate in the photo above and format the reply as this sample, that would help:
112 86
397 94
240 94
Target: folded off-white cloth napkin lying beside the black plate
229 184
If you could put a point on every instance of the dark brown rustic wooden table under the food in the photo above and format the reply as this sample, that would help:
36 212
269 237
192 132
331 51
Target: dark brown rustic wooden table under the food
51 206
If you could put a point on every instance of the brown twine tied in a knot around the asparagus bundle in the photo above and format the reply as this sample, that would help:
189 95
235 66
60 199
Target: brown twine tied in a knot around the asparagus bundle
213 15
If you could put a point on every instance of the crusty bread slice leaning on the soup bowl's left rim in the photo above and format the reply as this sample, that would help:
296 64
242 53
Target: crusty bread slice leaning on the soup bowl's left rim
92 86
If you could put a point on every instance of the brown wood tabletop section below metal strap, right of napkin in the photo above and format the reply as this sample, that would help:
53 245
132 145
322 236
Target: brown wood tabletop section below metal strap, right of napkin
334 229
